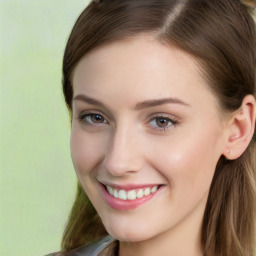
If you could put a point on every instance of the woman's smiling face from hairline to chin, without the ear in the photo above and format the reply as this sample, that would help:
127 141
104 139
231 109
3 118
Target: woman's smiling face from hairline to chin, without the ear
146 137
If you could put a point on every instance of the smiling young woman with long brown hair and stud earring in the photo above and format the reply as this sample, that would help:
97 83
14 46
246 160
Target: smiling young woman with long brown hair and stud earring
162 101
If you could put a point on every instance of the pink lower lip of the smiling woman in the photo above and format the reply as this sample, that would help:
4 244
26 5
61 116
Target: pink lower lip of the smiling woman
123 205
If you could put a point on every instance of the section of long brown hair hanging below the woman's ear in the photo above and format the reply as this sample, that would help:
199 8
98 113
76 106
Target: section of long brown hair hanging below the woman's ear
231 207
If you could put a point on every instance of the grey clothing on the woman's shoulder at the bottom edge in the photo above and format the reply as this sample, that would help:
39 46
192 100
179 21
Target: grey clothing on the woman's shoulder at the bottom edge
88 250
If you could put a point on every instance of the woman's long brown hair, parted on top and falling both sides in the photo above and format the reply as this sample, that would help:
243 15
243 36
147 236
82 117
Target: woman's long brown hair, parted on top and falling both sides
221 36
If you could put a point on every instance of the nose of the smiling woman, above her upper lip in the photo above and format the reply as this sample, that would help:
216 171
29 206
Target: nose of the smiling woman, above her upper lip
123 155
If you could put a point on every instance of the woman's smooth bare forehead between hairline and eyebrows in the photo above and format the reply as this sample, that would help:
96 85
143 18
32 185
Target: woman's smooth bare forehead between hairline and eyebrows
140 68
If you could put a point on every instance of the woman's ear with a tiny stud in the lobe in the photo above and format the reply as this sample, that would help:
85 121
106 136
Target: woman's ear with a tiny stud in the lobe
240 129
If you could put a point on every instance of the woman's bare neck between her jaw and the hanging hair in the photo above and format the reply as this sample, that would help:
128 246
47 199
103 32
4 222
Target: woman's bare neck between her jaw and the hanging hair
183 239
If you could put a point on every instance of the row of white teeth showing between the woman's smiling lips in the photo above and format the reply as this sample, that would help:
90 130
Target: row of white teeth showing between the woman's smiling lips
132 194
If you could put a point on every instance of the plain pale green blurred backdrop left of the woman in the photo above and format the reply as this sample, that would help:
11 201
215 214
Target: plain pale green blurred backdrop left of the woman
37 183
